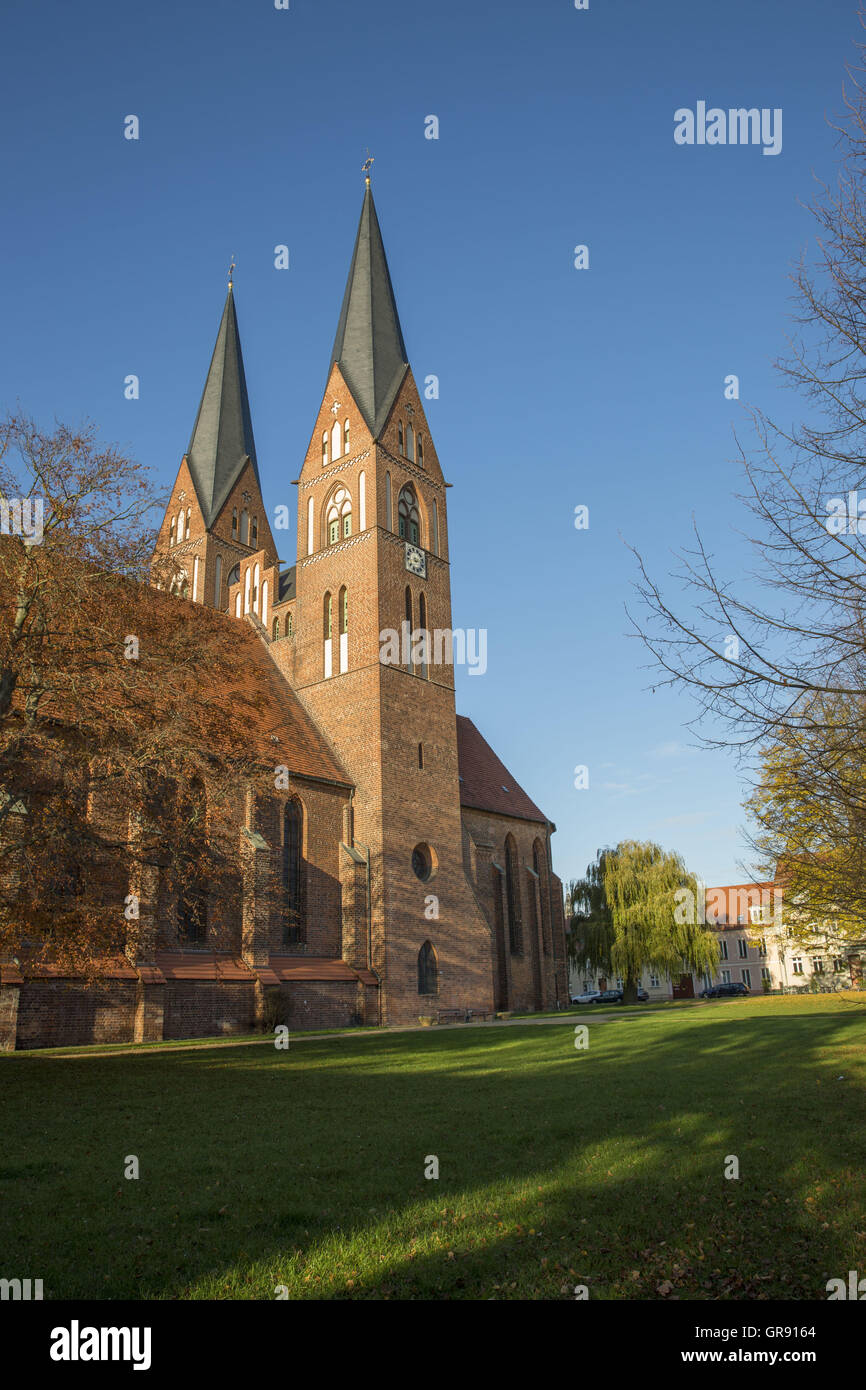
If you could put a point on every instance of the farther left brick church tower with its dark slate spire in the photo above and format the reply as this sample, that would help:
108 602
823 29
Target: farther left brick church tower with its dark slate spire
216 516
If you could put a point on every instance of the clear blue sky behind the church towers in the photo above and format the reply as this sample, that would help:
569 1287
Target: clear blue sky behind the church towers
558 387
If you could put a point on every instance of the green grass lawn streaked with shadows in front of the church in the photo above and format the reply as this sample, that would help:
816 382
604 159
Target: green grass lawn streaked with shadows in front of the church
557 1167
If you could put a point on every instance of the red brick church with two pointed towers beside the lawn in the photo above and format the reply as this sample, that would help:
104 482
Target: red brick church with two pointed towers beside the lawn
418 874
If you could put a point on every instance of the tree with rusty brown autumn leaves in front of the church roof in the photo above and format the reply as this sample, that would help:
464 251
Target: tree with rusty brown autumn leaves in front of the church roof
117 705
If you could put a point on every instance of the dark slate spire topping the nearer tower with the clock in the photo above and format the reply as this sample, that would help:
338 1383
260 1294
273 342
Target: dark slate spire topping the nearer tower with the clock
369 347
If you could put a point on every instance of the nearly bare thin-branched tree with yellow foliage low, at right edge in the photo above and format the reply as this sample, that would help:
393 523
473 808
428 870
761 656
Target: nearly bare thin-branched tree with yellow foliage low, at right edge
778 661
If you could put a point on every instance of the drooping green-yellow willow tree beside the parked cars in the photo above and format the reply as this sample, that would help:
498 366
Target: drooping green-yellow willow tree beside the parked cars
628 917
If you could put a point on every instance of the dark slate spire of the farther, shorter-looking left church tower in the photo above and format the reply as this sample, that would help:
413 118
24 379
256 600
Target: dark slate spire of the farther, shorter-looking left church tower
223 434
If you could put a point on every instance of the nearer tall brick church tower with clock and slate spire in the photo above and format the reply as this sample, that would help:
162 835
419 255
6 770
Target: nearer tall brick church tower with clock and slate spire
373 573
